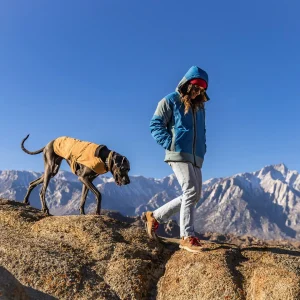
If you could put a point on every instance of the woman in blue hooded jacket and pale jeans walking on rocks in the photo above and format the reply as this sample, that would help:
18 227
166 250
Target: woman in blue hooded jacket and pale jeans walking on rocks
178 125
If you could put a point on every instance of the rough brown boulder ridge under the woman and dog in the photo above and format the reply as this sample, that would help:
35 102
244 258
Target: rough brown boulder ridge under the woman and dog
91 257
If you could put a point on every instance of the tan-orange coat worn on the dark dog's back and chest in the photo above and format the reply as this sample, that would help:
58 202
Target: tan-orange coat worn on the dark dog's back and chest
77 151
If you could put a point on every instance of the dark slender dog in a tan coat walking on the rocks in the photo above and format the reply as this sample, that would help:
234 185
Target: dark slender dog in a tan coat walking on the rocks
87 161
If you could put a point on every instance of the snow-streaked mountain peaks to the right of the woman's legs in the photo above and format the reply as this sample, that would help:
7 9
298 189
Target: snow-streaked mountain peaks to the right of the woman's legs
265 204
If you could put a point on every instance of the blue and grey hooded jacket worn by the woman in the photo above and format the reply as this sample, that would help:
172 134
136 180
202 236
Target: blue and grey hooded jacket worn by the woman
182 135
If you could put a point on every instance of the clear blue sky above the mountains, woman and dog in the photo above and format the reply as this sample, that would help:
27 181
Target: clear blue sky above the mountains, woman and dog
95 70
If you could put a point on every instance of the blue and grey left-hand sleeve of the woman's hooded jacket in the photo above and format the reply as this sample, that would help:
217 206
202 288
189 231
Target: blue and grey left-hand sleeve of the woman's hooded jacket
159 123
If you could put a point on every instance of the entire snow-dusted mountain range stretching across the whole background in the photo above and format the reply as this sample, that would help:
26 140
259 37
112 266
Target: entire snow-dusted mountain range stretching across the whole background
265 204
